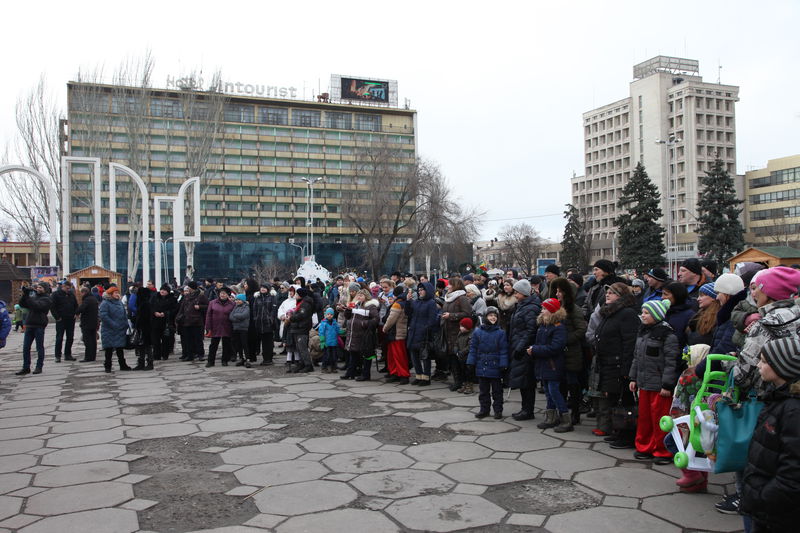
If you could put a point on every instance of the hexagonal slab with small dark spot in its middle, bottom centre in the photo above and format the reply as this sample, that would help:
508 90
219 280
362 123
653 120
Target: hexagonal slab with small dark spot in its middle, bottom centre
449 512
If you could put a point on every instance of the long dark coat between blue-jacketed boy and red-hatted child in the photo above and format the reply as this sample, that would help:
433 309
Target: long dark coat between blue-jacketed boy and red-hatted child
521 334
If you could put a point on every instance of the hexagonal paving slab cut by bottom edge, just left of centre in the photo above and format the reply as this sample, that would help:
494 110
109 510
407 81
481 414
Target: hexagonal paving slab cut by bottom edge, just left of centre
350 520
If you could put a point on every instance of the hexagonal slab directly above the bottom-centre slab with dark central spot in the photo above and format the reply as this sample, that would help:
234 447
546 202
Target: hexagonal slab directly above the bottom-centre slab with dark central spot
398 484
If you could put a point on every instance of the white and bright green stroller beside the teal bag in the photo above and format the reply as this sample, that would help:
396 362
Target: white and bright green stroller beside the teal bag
700 421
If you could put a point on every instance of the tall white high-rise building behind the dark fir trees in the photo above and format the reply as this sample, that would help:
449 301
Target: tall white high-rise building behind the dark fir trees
676 125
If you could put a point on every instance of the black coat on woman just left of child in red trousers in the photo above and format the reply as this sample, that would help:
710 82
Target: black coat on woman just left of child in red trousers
614 343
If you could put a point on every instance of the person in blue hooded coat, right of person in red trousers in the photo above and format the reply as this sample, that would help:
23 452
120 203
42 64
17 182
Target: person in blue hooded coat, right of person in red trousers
423 327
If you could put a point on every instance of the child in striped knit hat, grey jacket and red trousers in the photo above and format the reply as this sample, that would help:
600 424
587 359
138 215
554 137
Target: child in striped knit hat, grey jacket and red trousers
654 372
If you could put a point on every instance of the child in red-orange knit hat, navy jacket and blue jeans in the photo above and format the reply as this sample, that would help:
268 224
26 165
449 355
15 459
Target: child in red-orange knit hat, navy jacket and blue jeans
548 354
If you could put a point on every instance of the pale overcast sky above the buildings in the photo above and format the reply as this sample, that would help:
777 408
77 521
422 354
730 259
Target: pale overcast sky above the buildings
499 87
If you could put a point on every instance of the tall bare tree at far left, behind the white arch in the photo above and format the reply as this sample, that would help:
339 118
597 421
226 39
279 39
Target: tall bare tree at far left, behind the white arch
25 200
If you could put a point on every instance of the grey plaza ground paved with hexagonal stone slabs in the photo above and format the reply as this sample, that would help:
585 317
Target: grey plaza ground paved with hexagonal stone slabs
227 449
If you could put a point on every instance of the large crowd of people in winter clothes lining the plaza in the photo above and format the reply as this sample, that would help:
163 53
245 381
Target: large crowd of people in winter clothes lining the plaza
594 345
